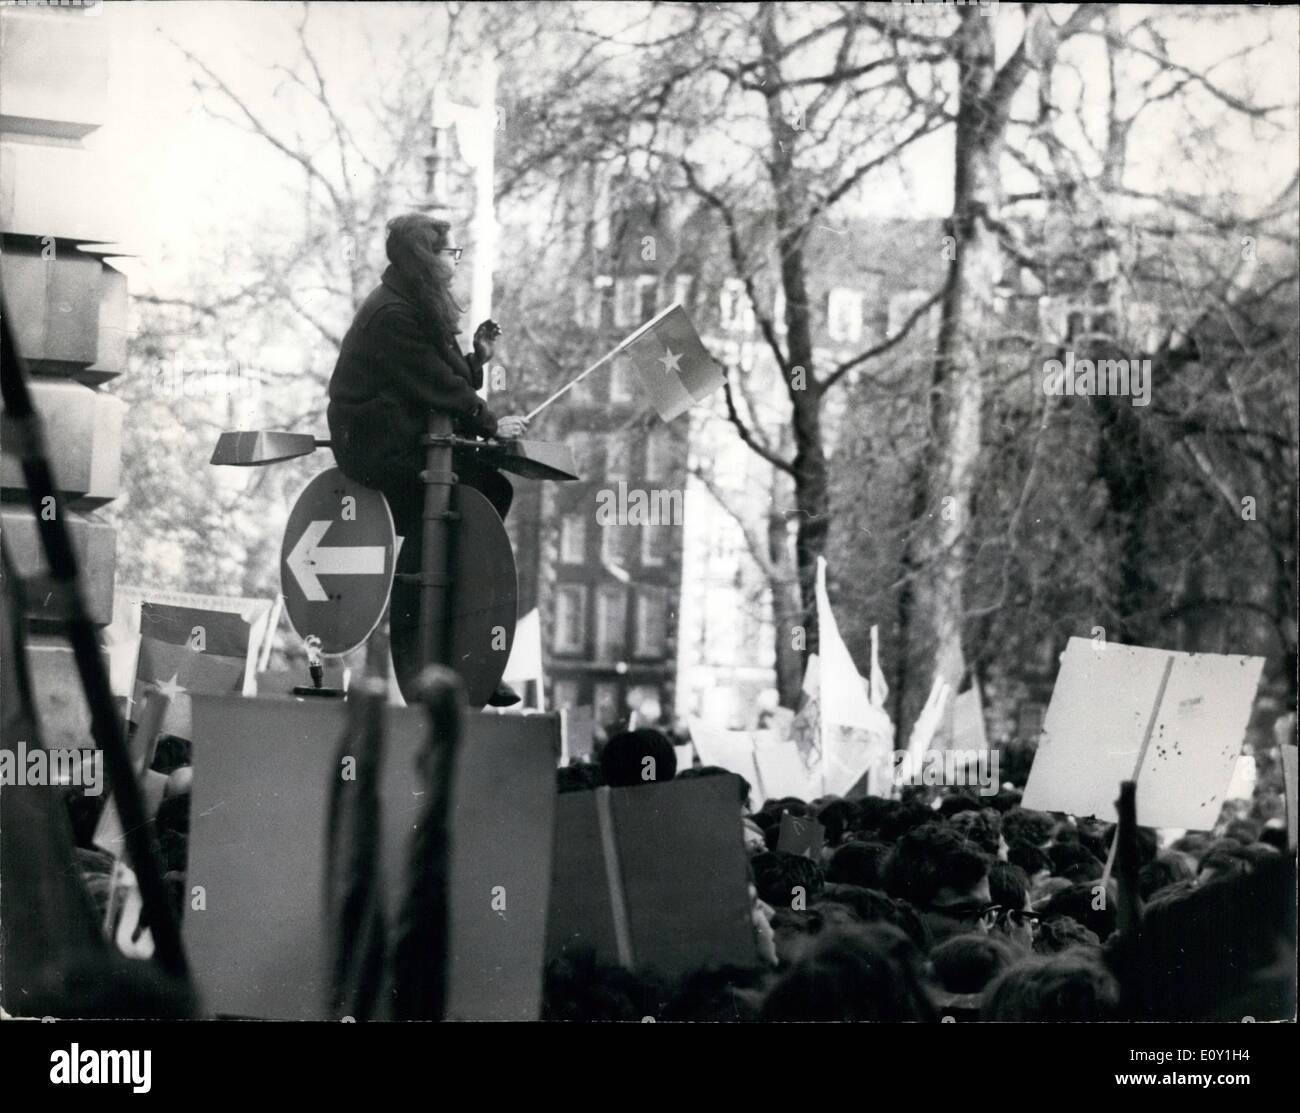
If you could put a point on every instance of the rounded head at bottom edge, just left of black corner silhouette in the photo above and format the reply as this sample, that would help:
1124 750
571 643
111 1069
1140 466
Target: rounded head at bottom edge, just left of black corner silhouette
1072 986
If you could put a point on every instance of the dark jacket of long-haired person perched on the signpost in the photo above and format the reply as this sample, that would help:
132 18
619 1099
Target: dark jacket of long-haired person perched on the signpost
397 363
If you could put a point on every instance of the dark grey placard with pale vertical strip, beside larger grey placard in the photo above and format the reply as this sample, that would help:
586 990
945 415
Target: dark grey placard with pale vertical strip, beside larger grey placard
653 878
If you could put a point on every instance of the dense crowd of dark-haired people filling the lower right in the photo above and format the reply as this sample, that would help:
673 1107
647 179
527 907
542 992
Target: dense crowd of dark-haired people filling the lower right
941 906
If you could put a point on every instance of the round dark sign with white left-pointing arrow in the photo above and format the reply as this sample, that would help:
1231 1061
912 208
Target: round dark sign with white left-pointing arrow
337 560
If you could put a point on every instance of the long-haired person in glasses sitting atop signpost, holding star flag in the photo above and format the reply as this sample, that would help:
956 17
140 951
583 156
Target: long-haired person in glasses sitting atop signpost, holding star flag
400 361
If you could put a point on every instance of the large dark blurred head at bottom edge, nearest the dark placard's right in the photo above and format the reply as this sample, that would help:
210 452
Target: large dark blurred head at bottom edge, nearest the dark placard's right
853 975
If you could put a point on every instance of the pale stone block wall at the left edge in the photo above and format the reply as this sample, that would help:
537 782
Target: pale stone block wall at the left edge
68 308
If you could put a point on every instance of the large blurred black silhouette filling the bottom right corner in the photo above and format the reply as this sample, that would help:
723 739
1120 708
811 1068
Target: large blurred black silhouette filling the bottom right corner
1215 952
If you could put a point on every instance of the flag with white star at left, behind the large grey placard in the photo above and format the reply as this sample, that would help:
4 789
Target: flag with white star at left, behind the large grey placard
189 649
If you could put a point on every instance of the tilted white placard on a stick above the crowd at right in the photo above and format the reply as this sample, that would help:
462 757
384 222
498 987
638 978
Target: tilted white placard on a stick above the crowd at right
1094 735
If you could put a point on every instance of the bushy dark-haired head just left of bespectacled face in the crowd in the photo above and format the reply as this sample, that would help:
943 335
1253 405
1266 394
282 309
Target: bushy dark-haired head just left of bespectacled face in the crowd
946 877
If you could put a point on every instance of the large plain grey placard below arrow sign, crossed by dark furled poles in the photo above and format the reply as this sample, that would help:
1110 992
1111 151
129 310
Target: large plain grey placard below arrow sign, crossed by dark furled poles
262 777
